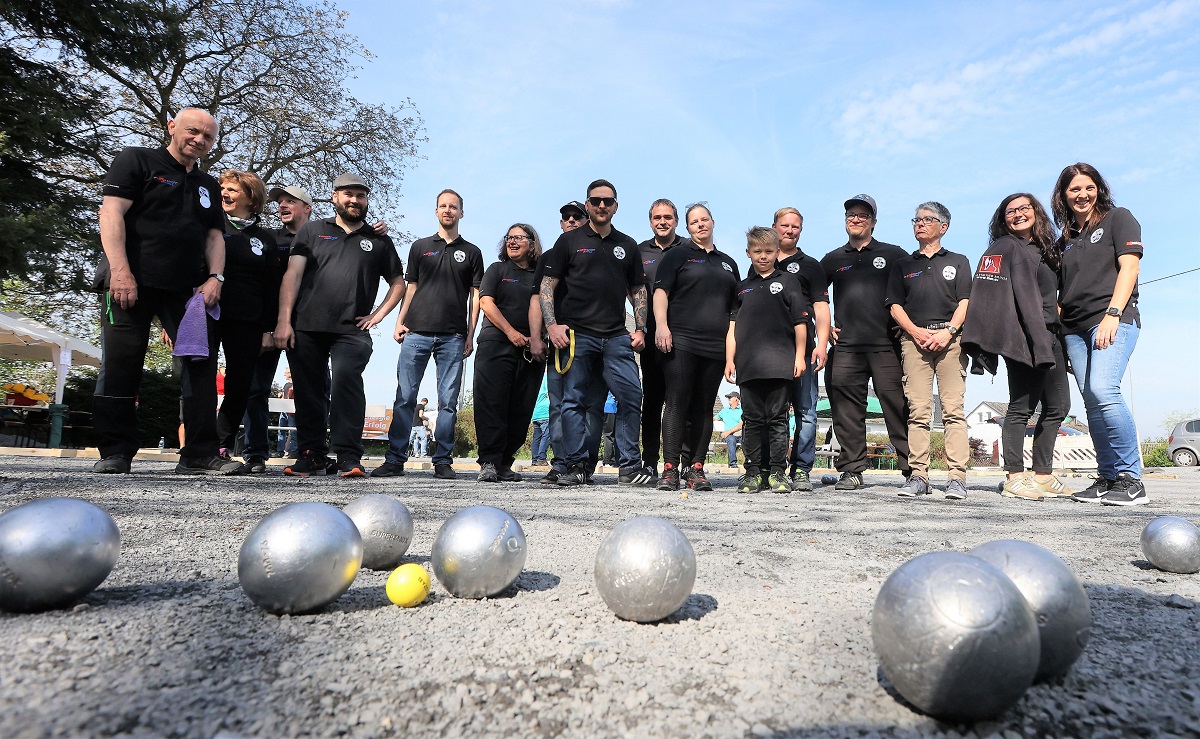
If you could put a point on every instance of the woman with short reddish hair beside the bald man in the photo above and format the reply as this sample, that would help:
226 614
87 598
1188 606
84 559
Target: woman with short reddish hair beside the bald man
250 297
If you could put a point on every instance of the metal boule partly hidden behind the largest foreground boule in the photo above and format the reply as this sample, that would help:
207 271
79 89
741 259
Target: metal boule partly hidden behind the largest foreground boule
1057 597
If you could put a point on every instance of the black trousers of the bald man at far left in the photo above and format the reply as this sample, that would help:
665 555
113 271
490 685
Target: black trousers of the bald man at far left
124 338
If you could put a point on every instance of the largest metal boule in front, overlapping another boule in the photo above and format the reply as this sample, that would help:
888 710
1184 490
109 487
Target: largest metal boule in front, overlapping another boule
956 638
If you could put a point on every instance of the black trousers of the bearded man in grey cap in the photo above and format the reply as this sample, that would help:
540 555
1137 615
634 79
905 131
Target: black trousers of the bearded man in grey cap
338 359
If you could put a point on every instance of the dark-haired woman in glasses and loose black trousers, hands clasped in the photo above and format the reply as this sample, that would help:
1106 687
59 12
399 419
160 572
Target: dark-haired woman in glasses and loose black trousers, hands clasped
507 376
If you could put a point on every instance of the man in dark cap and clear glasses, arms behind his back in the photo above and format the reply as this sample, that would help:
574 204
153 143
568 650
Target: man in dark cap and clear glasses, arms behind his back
865 346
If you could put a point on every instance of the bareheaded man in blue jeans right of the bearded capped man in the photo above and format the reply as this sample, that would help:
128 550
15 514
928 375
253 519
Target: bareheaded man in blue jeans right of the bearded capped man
437 320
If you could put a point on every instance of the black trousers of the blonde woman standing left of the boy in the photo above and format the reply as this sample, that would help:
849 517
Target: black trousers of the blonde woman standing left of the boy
693 382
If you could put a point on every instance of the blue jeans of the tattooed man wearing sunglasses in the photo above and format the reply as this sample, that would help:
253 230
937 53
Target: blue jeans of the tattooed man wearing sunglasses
601 364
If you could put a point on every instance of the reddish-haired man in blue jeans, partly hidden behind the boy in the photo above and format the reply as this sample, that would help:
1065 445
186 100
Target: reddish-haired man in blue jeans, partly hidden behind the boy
793 261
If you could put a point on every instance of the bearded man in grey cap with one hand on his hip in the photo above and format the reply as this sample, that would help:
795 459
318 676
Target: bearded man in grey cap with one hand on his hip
326 316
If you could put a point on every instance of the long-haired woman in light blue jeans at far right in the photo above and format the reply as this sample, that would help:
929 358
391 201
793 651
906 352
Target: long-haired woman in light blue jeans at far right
1101 256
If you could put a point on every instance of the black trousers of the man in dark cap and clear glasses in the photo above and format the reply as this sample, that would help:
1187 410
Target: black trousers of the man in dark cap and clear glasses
847 378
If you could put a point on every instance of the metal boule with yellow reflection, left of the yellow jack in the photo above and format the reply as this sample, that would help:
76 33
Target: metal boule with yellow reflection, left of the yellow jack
299 558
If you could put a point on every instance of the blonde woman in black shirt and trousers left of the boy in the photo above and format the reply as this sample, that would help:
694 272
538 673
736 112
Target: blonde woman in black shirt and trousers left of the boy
694 292
